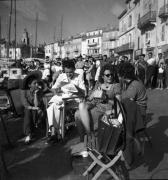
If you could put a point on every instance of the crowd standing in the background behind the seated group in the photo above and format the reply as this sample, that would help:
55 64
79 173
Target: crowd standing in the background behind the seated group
153 72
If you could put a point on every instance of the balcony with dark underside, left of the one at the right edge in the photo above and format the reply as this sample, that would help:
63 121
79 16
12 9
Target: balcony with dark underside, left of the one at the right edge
147 20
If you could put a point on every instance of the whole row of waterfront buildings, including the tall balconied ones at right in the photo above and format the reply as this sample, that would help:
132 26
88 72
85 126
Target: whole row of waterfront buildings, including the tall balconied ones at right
143 28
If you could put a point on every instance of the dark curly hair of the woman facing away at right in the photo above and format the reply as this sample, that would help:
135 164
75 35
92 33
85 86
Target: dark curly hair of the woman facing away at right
127 70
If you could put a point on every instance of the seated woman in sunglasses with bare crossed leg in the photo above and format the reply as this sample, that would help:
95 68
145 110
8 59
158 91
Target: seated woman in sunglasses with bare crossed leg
99 102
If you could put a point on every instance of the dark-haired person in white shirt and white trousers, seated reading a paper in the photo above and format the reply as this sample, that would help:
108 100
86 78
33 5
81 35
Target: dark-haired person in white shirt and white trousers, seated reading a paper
68 77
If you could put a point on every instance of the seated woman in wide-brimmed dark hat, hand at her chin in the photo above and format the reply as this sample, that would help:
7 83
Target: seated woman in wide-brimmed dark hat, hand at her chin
32 102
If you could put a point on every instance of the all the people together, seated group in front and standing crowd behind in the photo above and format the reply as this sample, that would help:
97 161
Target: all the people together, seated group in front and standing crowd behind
95 82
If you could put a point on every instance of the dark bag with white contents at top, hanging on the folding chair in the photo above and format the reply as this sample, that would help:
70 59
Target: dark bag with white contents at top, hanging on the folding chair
109 132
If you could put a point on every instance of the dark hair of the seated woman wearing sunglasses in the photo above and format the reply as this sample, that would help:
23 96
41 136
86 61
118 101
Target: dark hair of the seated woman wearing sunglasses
112 70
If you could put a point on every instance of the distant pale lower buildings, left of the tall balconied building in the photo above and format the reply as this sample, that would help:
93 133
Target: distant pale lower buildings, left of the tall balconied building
98 41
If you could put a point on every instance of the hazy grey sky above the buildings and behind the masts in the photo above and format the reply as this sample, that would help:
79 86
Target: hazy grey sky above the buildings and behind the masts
78 16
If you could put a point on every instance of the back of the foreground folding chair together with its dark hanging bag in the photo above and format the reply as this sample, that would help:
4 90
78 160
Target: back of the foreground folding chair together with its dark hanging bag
111 132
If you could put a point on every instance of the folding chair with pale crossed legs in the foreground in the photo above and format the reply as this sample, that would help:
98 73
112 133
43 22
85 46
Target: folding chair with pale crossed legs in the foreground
108 162
